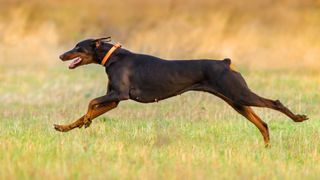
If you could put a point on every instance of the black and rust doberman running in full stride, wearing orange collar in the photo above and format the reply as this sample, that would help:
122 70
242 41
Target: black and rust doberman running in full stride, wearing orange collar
148 79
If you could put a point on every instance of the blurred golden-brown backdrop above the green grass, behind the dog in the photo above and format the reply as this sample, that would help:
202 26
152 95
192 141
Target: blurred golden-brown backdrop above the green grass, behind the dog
268 34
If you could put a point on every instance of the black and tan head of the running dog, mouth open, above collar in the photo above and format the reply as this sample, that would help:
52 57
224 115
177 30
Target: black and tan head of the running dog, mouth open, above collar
84 52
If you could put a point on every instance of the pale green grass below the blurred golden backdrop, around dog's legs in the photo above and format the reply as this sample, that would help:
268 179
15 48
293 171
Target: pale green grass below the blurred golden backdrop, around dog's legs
193 136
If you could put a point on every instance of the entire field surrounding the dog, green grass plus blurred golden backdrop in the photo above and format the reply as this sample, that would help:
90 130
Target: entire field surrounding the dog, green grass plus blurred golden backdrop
274 44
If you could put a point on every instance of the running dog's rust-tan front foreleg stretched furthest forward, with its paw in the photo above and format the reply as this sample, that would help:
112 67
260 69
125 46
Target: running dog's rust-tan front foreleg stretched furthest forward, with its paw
81 121
